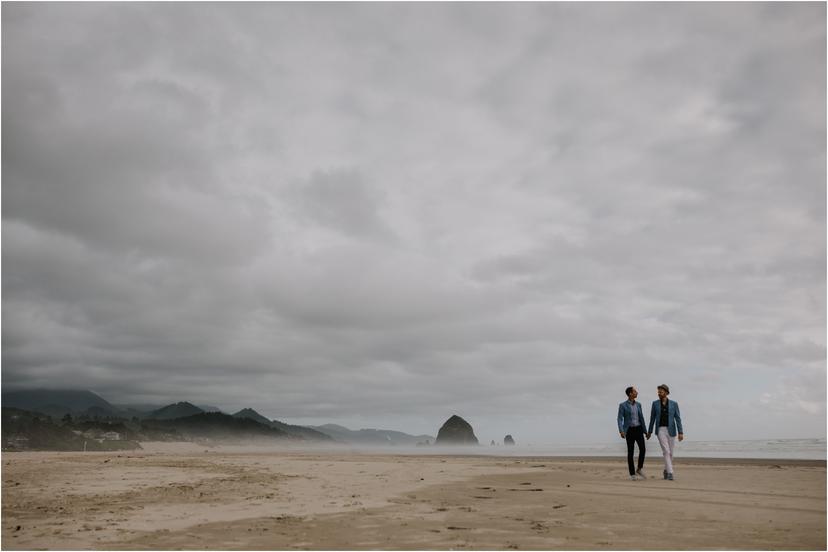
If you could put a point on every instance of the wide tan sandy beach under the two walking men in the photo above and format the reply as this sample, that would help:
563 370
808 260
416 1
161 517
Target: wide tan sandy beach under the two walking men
189 497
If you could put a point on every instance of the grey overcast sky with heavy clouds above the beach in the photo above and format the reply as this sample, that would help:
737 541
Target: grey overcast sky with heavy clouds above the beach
381 215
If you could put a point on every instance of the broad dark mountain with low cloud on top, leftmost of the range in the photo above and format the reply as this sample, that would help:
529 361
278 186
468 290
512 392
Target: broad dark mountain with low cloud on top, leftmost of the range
58 402
